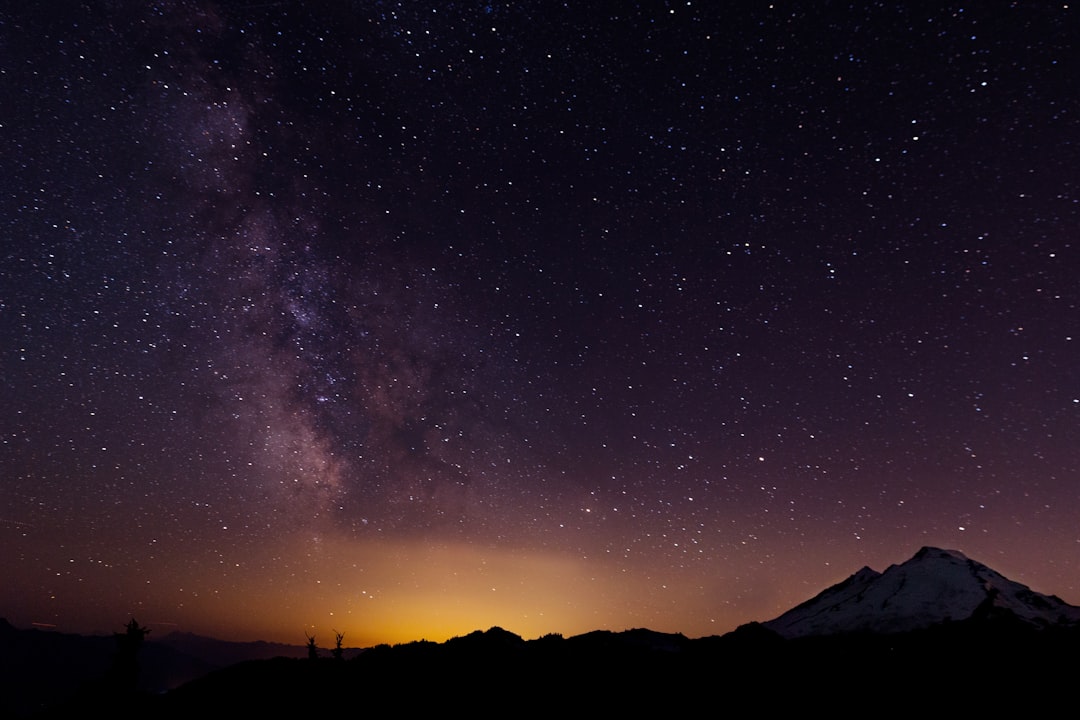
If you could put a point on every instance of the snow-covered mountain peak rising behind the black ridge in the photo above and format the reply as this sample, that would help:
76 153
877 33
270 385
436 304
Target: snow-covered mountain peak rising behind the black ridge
935 587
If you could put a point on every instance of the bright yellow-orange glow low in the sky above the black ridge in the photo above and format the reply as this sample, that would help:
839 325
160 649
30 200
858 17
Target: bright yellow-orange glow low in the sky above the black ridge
406 591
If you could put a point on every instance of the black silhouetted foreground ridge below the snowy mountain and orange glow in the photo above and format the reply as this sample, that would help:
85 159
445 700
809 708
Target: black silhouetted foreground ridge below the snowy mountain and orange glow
965 668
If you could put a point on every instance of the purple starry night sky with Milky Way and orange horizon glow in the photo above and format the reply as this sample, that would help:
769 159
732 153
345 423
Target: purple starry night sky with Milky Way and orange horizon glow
412 319
